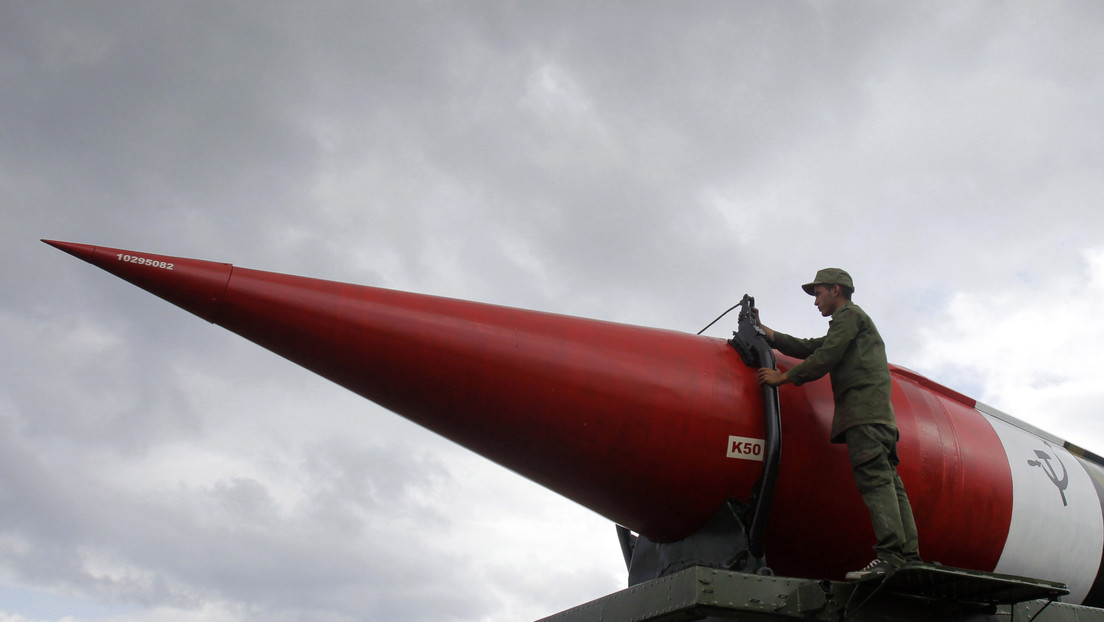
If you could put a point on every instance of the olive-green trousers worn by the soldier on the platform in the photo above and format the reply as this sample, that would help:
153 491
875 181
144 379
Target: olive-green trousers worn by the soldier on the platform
873 451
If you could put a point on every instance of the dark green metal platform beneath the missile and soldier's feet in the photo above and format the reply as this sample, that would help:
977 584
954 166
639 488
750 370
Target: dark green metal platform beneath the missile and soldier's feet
912 594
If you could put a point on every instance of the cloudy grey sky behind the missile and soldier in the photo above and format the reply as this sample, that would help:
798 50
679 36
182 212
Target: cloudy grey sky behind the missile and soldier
646 163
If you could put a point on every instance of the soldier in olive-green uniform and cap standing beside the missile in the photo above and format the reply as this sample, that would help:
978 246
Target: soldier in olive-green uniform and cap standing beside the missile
854 355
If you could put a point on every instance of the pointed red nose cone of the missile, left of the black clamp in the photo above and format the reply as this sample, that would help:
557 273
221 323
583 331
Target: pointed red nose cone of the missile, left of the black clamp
610 416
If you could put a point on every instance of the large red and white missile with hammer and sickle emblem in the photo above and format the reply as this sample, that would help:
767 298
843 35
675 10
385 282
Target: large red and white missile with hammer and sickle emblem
657 430
